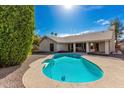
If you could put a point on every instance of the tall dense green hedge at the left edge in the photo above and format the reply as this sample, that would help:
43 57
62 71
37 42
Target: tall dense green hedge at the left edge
16 34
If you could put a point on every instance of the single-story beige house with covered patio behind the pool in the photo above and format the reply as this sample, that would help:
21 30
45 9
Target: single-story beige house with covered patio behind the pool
96 42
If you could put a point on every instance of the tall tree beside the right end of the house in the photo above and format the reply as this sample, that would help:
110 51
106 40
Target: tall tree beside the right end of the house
118 30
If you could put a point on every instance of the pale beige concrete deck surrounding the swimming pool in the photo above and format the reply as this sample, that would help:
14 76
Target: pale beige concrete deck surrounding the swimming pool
112 67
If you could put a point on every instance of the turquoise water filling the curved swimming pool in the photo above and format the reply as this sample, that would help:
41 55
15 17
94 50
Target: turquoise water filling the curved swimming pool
71 68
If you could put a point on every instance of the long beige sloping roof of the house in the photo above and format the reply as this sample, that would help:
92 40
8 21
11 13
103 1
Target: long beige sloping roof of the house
95 36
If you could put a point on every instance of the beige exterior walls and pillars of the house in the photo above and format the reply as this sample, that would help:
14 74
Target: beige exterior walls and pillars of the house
104 47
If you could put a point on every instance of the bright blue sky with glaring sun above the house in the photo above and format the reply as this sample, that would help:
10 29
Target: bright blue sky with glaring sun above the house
74 20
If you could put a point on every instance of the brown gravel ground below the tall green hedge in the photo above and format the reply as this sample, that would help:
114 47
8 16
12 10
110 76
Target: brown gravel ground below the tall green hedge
11 77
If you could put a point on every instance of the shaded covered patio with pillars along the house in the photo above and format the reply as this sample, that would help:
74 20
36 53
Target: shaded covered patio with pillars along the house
93 47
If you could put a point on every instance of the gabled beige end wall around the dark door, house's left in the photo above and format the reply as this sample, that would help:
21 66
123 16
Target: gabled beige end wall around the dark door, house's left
45 45
